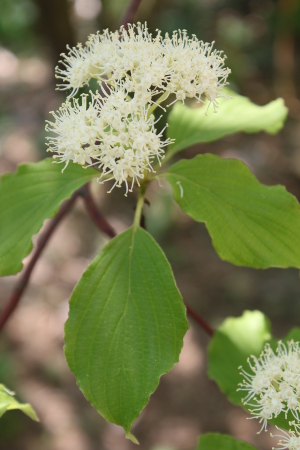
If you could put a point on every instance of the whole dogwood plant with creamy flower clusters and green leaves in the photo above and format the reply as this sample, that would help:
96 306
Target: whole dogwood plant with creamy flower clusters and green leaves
127 319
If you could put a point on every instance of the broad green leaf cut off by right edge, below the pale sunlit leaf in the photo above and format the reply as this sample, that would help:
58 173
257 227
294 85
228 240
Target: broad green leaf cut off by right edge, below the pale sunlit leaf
250 224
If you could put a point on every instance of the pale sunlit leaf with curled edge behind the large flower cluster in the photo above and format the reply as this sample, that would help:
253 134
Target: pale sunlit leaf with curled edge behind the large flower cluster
190 126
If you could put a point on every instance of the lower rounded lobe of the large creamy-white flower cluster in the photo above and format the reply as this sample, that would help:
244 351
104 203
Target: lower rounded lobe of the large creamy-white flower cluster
113 132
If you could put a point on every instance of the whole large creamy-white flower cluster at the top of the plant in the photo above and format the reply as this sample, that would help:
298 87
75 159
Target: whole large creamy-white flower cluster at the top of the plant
117 129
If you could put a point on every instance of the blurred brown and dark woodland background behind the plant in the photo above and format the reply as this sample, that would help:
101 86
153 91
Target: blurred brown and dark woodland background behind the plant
261 40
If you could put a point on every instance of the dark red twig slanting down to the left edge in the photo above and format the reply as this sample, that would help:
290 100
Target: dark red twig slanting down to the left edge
42 241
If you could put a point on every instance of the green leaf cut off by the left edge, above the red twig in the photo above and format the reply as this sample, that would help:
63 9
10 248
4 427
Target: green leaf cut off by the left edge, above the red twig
27 198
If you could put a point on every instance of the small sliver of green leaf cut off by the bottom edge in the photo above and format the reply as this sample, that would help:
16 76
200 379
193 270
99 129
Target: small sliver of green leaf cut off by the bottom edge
217 441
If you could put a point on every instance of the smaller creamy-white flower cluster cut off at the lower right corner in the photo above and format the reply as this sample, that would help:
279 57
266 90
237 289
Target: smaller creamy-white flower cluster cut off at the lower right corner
274 387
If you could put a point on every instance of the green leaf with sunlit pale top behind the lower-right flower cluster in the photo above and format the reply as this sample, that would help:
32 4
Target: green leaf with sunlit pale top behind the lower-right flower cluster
232 344
